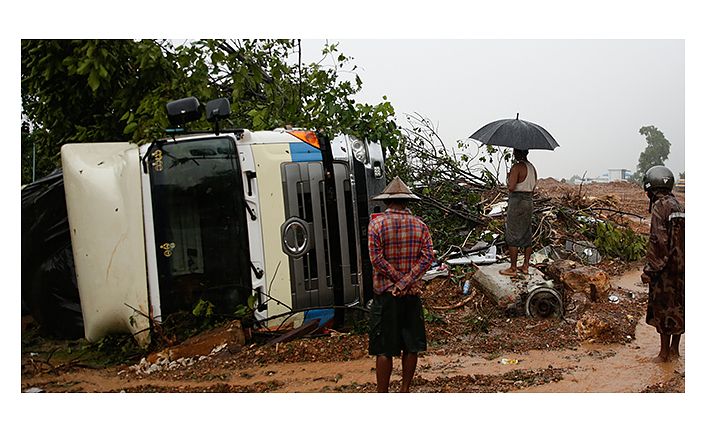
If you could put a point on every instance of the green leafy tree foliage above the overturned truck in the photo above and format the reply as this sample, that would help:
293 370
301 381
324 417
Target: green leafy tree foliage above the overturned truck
116 90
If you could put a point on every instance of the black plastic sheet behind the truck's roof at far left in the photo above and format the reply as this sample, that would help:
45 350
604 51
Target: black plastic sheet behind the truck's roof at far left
49 289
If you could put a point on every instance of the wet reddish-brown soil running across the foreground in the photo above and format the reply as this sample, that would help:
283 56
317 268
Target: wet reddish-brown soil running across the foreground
507 354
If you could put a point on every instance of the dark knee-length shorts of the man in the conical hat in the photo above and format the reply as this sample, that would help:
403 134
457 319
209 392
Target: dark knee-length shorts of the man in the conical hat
396 325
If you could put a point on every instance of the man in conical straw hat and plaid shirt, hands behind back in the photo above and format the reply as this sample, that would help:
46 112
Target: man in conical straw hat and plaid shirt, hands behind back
401 252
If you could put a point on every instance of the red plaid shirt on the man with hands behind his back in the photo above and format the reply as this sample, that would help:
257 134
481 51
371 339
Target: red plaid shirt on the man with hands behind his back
400 250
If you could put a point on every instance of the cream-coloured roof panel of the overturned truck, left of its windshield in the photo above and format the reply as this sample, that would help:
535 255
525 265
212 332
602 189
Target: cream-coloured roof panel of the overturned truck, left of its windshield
104 206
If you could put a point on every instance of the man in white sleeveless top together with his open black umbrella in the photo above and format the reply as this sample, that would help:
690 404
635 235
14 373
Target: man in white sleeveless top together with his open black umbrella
522 136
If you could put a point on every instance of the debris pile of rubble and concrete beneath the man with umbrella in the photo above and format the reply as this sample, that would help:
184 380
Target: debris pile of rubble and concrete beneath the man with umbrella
570 273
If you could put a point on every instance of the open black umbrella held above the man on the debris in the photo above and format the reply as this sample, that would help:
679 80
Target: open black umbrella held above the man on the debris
515 133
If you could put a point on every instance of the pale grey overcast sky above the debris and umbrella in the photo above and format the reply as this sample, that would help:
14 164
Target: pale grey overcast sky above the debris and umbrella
591 95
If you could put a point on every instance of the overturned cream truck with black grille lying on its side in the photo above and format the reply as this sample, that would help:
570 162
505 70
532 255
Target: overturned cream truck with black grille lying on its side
277 219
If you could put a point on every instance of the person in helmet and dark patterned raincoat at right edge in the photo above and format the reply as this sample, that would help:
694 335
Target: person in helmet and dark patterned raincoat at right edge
664 267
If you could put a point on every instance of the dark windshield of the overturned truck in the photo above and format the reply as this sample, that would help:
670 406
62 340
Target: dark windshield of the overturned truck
200 227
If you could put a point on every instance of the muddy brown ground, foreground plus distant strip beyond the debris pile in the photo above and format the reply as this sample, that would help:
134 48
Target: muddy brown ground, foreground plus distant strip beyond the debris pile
473 347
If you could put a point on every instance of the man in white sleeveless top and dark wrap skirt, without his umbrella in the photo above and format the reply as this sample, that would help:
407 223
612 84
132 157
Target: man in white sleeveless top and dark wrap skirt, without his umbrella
521 182
